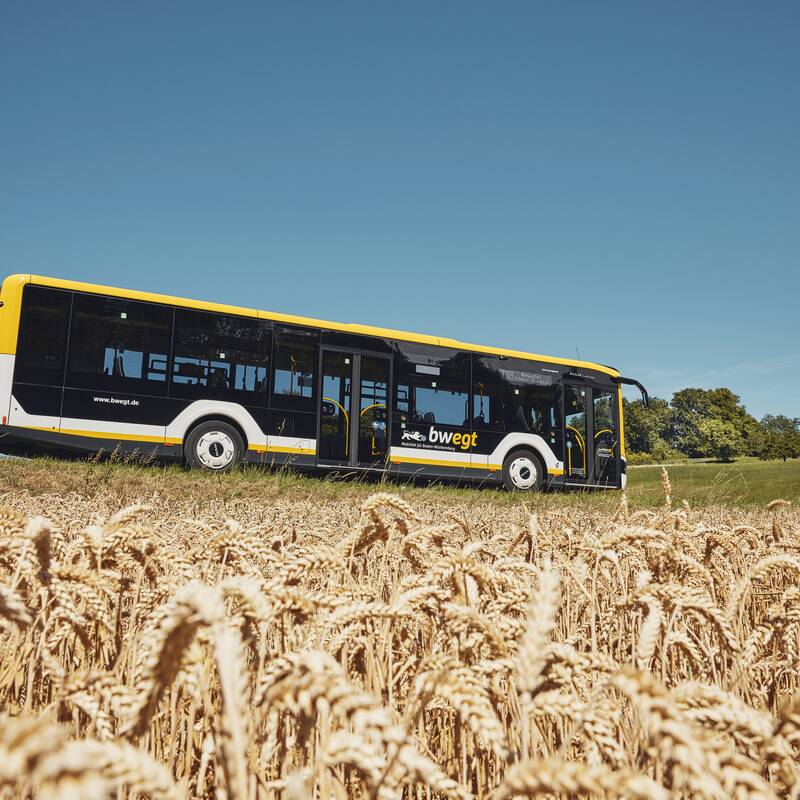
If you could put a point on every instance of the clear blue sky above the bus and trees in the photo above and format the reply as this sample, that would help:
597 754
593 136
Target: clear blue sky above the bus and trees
622 179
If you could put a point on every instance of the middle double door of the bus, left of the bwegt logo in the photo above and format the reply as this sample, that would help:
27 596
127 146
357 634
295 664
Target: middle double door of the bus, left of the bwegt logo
353 423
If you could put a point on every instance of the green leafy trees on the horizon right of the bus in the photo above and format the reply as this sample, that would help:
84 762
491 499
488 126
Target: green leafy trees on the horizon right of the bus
709 423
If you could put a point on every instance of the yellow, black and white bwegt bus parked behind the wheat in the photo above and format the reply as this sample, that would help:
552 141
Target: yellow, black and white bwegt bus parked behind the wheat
98 368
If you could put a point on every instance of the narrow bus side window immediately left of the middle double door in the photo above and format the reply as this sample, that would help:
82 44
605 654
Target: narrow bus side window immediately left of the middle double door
293 368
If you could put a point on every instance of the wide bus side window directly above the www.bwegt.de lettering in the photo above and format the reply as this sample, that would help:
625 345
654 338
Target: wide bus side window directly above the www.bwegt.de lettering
119 345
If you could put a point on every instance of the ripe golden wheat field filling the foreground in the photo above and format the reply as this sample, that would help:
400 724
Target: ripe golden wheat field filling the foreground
302 648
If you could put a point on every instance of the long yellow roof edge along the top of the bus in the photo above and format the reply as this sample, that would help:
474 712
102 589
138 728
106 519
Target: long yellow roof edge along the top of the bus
364 330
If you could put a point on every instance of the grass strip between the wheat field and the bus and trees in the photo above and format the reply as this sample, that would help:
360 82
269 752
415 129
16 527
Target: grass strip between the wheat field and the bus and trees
747 482
